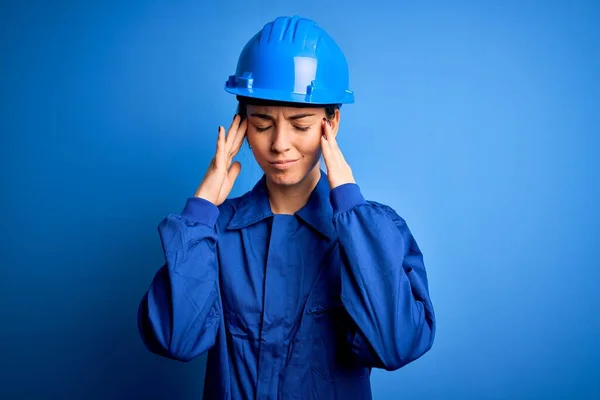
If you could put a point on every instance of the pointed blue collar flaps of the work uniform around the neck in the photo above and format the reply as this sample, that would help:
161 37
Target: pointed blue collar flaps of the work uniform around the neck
317 212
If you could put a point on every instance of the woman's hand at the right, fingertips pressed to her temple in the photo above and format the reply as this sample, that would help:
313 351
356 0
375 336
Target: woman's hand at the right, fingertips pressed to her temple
338 170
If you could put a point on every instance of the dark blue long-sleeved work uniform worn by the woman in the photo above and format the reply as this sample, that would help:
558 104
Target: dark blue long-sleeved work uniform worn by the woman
296 306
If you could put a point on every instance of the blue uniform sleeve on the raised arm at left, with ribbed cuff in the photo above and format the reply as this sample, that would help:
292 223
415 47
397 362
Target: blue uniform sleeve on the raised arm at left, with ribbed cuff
179 315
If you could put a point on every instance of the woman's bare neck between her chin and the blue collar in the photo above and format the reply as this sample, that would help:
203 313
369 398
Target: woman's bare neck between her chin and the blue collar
289 199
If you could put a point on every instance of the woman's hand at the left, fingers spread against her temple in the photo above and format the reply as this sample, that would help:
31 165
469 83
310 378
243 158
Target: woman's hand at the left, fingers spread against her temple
221 174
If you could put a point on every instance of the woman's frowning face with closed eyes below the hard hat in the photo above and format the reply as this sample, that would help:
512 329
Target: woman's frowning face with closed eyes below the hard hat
286 141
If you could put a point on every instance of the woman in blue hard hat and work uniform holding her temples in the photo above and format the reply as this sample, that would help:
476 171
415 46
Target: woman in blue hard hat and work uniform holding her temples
300 287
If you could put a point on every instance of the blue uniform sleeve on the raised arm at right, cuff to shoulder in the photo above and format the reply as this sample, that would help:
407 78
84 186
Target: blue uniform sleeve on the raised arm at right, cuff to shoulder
384 282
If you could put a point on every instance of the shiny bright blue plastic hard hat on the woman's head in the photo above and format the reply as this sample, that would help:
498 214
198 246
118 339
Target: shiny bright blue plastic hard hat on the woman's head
292 59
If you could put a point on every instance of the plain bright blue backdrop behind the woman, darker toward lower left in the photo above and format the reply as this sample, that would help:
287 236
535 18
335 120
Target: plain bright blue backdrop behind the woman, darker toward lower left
477 121
